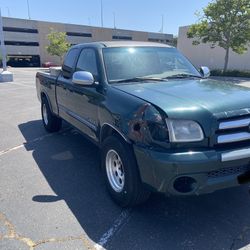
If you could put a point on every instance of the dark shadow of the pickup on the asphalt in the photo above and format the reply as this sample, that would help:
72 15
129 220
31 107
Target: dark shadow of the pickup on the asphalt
70 165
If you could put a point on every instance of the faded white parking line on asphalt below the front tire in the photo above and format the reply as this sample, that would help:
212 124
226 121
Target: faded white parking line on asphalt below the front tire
118 223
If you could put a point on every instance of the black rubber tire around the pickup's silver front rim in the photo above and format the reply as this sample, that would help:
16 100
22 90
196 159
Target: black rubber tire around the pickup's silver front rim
133 192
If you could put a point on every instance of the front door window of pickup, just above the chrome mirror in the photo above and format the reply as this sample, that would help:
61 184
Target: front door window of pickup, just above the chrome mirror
87 62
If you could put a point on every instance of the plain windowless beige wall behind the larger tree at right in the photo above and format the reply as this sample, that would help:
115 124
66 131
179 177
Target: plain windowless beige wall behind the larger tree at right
203 55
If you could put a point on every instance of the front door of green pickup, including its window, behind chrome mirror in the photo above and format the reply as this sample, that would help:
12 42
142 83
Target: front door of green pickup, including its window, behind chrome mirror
81 102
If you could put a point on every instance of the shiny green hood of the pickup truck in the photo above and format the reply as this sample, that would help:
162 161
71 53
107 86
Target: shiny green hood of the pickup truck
180 98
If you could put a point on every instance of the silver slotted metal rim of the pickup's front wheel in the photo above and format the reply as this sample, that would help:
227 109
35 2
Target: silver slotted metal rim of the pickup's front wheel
115 171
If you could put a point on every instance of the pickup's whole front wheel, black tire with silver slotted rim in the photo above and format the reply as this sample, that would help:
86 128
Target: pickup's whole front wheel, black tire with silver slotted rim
121 173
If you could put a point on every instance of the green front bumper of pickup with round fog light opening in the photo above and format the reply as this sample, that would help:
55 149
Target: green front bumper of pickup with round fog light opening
192 172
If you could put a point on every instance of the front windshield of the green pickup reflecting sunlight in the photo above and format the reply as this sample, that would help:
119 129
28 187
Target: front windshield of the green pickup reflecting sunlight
146 62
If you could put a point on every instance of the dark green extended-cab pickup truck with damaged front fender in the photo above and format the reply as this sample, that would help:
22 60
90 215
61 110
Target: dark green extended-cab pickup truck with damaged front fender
161 124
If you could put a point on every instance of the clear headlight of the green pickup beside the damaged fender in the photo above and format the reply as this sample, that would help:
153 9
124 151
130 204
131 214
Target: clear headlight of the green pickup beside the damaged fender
184 130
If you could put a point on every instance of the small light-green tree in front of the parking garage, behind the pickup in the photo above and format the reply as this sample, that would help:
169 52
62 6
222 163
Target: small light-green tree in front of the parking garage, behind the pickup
58 44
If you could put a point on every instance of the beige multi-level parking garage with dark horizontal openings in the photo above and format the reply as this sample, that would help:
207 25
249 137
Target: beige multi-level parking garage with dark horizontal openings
26 40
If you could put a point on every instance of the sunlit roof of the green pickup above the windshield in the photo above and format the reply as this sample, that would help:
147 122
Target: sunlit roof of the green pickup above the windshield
123 44
